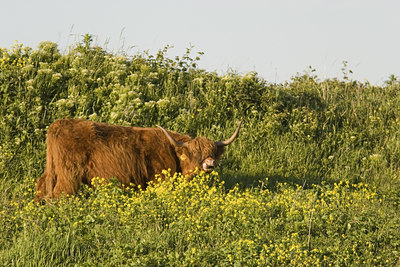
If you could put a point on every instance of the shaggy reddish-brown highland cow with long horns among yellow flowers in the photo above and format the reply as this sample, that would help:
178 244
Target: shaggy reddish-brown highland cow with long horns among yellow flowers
78 150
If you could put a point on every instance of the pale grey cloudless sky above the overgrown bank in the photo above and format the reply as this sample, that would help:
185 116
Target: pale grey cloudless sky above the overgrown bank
277 39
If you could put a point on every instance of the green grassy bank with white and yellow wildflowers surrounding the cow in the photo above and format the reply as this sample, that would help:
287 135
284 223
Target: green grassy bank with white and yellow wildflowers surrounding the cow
313 179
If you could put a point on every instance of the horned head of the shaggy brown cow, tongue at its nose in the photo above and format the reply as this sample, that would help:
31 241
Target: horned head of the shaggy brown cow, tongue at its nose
200 152
